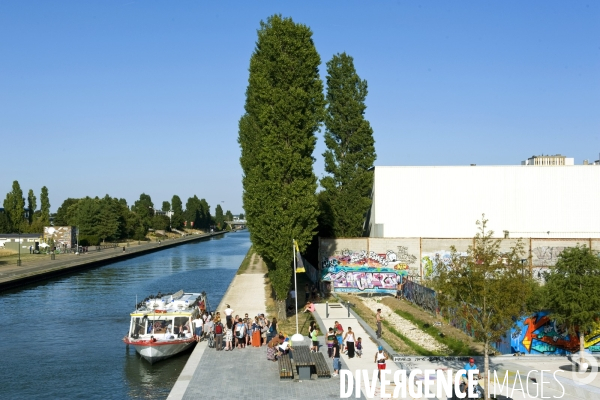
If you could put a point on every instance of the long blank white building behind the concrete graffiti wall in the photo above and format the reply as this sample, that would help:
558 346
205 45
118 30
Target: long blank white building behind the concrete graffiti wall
528 201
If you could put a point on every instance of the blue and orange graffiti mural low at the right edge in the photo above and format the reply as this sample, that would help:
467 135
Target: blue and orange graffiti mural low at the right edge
538 334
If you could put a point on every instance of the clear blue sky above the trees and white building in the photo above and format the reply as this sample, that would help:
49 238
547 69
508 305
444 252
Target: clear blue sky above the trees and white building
125 97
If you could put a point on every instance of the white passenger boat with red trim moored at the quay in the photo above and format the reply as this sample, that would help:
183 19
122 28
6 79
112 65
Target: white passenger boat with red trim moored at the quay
161 325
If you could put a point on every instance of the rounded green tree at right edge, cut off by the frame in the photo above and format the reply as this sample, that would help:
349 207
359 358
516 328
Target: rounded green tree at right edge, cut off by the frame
572 291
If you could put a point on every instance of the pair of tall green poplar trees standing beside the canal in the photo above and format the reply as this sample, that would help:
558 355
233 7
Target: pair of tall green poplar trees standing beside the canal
285 107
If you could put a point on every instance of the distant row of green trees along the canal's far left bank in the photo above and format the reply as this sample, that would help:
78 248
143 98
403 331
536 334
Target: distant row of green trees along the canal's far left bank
107 218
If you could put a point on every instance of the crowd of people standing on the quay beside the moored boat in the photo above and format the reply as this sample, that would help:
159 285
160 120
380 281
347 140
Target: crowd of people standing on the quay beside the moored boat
234 331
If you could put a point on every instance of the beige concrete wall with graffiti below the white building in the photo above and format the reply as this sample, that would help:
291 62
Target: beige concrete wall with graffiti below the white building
377 264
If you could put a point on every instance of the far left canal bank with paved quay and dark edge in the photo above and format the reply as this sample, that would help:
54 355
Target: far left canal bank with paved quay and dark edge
43 267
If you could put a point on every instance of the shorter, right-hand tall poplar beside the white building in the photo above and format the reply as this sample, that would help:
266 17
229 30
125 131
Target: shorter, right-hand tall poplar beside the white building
350 150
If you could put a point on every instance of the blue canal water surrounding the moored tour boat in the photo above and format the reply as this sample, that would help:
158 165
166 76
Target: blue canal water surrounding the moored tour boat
62 338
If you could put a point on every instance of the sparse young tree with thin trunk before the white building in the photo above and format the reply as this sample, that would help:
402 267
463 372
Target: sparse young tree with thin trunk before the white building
487 287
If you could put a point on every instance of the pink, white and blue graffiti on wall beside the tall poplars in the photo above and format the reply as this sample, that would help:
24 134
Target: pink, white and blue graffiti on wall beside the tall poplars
364 271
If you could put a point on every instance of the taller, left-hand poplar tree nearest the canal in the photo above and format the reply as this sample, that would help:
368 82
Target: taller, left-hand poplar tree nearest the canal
284 108
